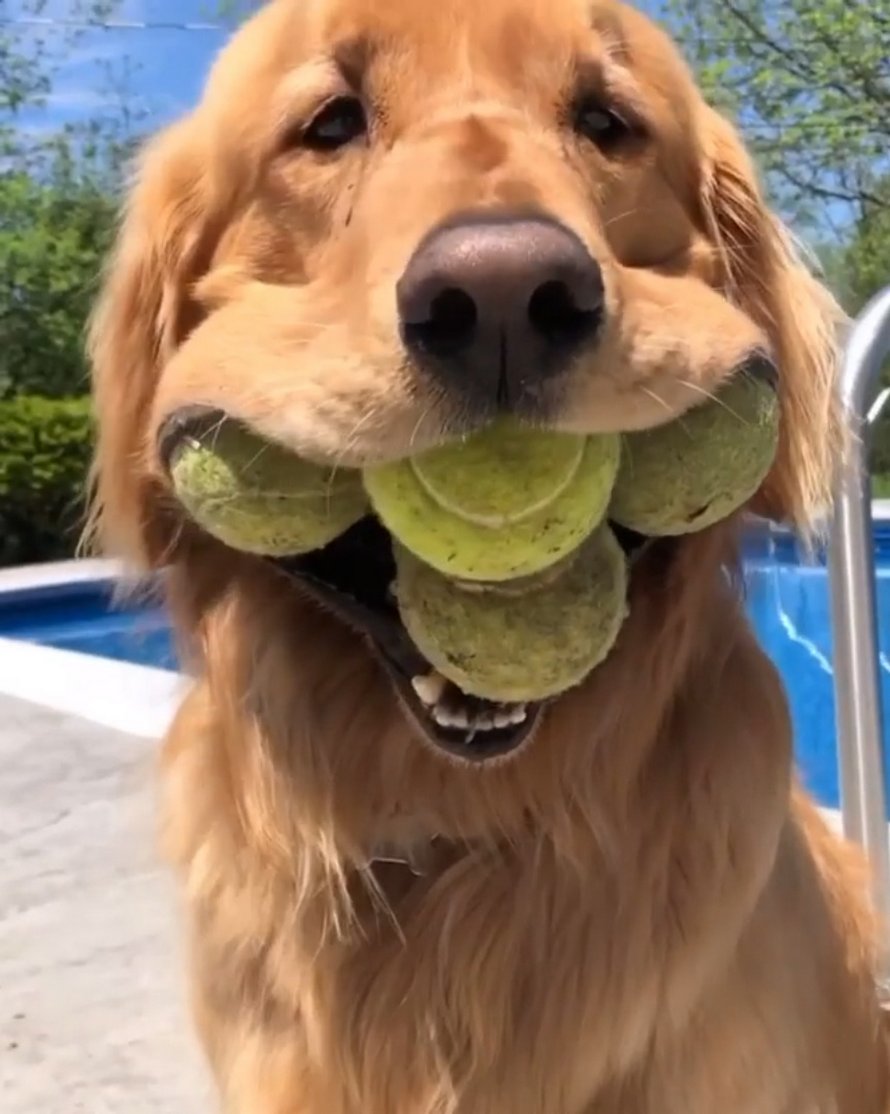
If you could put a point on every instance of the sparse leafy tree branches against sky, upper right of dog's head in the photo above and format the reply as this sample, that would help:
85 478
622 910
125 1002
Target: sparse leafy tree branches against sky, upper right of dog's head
809 83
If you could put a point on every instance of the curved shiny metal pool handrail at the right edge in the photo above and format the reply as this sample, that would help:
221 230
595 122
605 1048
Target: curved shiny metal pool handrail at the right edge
854 615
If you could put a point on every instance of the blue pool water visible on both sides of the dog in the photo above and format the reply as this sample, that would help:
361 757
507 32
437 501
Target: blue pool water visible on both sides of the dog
788 602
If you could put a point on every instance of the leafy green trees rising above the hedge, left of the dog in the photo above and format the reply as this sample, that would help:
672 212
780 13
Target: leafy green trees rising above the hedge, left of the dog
56 208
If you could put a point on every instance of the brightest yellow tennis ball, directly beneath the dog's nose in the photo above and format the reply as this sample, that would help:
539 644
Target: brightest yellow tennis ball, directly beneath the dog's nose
505 503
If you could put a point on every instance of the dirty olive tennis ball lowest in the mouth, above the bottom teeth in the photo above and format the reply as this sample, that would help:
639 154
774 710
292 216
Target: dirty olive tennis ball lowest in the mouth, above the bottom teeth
493 644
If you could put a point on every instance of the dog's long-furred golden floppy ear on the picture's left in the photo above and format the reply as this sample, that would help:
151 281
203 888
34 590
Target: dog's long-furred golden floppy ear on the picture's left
144 312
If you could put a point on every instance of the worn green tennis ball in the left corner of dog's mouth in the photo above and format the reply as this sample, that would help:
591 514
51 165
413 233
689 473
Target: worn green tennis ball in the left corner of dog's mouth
258 497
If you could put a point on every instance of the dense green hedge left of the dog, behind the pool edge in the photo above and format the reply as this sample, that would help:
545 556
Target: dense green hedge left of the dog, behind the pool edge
45 451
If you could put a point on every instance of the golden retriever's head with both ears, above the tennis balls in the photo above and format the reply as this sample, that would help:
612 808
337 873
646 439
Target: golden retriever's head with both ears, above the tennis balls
389 222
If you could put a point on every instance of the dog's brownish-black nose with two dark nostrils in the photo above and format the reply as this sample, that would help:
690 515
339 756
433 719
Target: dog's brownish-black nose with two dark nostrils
495 308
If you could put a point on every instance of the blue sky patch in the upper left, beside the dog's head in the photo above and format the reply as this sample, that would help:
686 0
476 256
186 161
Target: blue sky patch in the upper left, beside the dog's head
167 66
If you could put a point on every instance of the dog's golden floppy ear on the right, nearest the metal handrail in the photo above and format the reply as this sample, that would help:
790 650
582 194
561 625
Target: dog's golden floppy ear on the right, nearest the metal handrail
765 276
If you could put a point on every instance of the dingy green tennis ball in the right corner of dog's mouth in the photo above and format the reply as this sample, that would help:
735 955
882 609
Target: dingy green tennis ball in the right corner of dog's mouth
699 470
